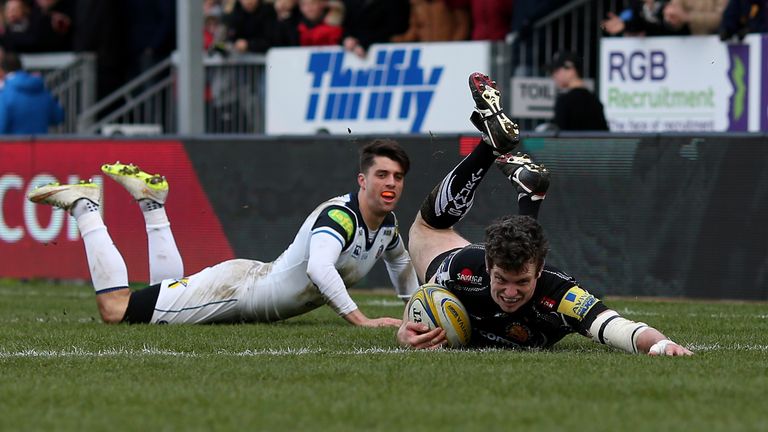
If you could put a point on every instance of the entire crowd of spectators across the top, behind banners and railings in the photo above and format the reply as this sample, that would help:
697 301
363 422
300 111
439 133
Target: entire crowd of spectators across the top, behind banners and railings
130 36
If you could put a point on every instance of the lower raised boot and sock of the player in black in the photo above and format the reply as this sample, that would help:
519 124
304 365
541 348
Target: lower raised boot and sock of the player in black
530 179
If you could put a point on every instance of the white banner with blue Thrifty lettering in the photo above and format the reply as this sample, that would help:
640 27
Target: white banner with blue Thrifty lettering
401 88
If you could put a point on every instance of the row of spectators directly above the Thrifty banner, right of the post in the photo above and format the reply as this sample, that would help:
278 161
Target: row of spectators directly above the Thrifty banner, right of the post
256 25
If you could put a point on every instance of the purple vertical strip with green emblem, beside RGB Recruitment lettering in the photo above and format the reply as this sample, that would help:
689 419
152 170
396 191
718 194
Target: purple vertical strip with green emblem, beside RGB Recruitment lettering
738 76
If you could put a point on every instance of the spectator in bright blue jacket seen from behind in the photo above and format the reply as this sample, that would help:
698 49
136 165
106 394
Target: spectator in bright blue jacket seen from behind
26 107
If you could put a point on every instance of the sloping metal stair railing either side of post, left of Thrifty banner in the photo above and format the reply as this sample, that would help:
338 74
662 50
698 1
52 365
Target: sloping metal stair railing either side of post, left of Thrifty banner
234 99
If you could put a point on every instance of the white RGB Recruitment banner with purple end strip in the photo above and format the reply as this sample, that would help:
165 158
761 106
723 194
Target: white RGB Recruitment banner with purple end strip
693 83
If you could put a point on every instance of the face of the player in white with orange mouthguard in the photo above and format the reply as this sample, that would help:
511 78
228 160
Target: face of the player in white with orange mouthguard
382 184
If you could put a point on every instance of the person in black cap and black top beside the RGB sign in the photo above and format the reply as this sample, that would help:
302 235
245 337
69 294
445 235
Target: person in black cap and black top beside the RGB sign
576 108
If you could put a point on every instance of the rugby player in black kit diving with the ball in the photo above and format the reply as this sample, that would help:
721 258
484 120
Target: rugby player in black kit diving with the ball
514 300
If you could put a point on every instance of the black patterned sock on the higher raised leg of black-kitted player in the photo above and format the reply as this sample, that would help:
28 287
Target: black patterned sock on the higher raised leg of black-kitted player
452 198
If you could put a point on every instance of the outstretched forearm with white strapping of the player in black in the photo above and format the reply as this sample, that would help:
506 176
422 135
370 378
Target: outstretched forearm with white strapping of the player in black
612 329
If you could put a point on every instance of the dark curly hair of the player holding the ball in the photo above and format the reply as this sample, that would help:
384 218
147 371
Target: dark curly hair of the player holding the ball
514 241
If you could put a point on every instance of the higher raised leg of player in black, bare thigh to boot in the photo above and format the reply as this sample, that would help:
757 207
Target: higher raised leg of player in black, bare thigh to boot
431 233
